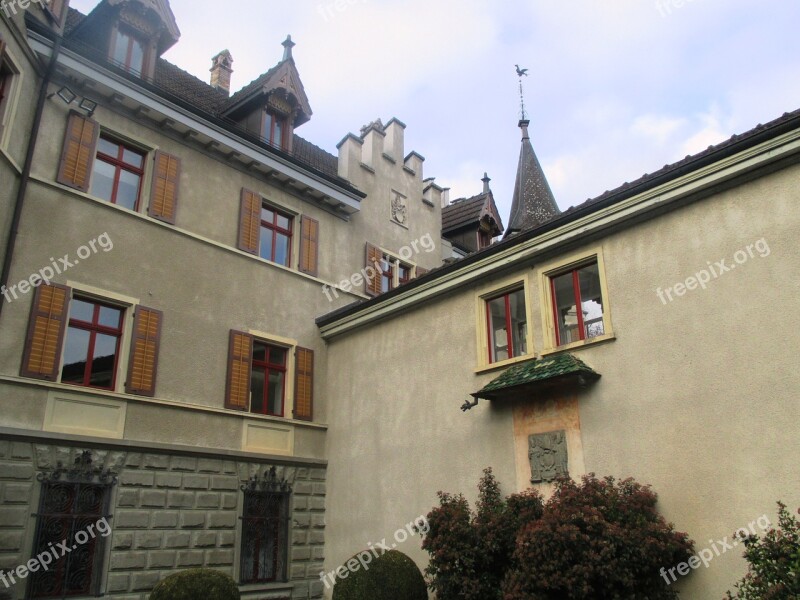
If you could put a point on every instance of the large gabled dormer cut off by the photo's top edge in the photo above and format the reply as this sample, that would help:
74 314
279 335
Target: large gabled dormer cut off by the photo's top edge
131 34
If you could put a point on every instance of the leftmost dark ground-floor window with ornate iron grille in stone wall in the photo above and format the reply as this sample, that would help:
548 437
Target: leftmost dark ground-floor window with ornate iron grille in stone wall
73 510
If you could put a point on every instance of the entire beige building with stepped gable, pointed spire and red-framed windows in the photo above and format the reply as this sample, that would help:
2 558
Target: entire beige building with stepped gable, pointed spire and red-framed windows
222 346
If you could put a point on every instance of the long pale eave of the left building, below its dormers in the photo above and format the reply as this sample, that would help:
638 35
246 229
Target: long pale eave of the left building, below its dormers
277 168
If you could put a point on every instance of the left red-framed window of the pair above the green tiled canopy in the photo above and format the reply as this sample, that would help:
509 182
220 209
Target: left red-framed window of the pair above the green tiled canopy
507 323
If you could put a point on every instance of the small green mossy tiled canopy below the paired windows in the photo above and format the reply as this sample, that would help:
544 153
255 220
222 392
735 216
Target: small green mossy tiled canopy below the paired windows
535 374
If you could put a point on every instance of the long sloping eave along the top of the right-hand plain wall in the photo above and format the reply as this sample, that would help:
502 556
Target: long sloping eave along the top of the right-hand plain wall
764 150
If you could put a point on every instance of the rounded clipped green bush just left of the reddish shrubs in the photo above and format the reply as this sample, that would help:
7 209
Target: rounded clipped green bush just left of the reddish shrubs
391 576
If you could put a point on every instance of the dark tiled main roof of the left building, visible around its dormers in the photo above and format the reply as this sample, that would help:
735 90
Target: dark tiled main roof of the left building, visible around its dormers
201 95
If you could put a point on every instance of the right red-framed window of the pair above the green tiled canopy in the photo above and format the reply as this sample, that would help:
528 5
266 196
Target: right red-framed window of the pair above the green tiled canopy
577 304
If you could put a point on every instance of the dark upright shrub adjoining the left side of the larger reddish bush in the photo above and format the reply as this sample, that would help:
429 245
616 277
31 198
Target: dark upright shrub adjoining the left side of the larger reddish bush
470 552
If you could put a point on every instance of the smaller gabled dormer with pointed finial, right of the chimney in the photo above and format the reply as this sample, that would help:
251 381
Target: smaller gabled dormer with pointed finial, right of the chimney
273 105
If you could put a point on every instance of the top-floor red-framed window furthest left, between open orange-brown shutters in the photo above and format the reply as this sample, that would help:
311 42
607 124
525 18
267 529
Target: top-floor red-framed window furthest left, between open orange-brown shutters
117 174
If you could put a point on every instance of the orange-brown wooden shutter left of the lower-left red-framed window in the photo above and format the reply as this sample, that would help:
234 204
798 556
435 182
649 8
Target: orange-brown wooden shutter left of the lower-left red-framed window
42 356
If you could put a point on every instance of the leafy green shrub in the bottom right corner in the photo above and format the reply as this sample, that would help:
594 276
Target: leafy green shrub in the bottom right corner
774 562
